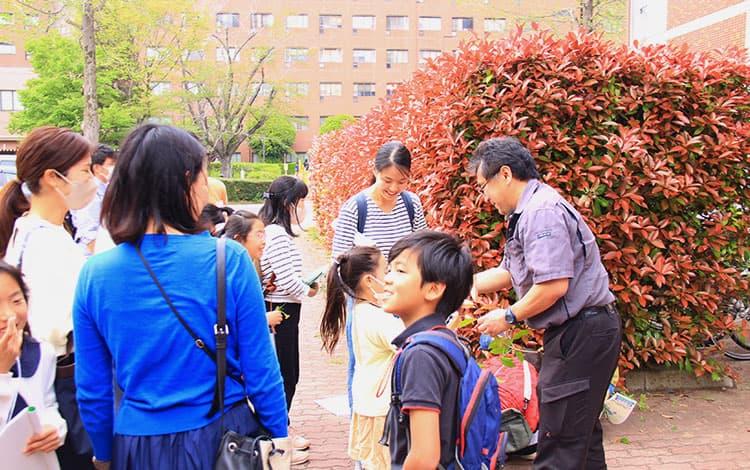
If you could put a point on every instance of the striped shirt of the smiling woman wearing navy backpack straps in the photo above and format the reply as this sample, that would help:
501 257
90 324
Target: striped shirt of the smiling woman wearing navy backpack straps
383 228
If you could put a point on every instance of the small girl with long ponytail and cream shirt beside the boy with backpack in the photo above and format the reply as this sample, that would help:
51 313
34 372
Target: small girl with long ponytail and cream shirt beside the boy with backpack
359 274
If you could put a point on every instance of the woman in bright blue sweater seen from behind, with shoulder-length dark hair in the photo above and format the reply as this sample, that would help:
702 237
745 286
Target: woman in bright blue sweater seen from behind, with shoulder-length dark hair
124 326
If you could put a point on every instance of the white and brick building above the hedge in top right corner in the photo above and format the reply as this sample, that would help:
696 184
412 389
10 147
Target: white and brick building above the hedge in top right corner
703 25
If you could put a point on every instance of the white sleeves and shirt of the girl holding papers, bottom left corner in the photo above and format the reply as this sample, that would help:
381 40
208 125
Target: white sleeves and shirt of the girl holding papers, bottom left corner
38 391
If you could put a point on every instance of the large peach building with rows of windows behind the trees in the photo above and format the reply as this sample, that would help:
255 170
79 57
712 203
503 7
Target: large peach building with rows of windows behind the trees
340 56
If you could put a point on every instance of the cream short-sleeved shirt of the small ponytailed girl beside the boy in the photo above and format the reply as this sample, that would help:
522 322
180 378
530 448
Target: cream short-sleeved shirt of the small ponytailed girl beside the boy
372 333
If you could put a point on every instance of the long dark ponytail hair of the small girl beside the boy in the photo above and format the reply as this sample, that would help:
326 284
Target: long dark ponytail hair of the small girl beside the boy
343 280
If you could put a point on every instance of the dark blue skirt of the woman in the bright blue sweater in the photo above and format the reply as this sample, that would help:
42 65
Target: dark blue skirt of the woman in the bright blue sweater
187 450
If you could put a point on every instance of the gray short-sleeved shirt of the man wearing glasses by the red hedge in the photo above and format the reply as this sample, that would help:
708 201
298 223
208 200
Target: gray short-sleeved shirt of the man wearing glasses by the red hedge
551 241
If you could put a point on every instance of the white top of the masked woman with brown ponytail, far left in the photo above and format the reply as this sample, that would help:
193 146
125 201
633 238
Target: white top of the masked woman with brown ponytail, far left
51 262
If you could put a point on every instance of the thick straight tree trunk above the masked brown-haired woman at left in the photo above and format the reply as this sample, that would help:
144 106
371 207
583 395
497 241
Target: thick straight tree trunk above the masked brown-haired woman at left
88 40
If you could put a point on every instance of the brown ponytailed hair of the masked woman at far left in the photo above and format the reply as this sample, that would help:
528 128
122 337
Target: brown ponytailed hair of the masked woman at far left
45 148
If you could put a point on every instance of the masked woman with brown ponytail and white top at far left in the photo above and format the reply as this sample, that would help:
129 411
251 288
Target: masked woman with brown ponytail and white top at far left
54 176
